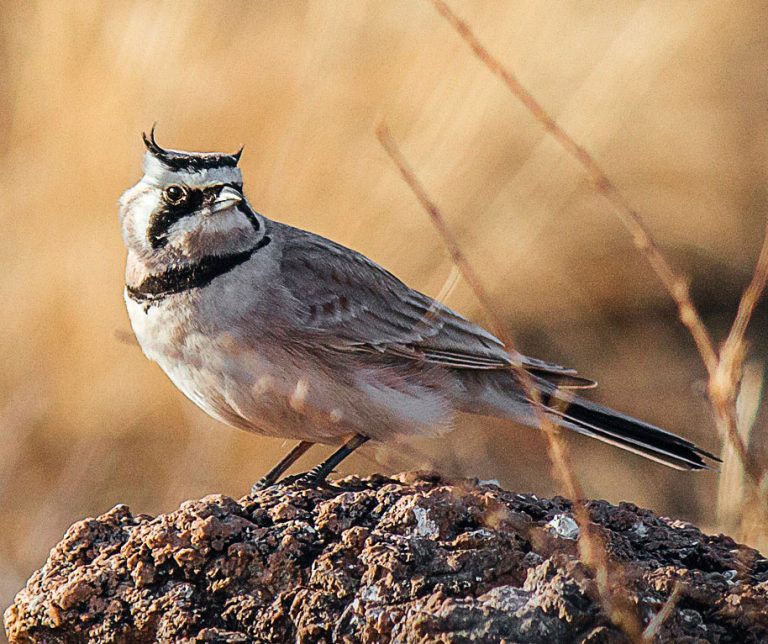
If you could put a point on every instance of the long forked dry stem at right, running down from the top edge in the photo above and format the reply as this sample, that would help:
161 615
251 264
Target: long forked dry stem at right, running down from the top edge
724 367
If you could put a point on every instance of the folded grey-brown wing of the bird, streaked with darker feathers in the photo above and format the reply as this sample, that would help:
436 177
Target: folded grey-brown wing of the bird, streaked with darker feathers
361 306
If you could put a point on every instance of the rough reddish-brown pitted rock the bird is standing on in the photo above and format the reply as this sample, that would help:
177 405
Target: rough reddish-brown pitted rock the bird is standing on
412 559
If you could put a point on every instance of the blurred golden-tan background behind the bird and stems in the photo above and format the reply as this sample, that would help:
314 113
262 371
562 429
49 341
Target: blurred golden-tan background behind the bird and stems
669 96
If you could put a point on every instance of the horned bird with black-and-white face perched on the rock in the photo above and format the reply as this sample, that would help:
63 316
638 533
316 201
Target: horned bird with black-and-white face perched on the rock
281 332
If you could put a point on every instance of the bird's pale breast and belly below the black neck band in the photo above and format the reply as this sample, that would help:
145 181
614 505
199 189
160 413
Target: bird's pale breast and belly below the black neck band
224 346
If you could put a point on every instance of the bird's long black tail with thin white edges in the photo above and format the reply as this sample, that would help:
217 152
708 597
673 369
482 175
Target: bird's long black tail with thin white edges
628 433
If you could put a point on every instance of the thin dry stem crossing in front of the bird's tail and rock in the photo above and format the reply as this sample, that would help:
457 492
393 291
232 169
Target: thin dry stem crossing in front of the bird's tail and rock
591 546
